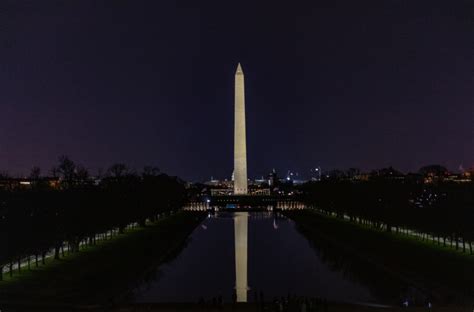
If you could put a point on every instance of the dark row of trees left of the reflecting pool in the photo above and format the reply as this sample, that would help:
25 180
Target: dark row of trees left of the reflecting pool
42 218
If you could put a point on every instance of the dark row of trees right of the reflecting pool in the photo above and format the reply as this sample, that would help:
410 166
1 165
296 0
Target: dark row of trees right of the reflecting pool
441 212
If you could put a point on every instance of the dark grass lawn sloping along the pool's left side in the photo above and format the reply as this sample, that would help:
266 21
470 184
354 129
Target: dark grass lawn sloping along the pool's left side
104 272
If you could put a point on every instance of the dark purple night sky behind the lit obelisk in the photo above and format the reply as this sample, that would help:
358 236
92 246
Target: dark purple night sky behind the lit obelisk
332 83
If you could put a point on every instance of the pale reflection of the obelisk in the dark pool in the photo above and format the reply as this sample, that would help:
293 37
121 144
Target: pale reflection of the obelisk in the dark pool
240 239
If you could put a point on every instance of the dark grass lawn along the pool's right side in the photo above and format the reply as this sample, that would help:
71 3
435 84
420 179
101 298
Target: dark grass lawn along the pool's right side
391 261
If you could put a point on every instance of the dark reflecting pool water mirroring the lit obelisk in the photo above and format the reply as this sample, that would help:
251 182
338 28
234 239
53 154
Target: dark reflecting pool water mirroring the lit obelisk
279 261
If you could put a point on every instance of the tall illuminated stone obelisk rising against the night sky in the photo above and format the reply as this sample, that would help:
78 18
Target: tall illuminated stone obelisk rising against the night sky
240 140
